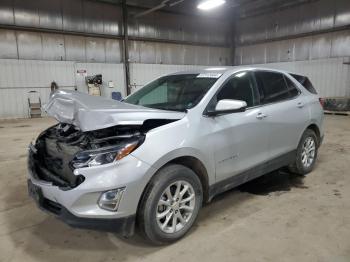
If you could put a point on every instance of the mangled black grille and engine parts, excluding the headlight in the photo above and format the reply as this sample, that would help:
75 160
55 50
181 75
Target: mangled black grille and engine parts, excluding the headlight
57 146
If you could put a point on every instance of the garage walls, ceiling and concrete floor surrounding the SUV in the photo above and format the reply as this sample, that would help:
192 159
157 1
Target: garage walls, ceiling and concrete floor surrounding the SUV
278 217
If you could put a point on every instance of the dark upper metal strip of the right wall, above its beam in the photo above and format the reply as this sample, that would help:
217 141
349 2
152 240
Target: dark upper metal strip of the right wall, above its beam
307 18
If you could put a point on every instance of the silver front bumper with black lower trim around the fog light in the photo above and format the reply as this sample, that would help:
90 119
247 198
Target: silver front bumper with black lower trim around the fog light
78 206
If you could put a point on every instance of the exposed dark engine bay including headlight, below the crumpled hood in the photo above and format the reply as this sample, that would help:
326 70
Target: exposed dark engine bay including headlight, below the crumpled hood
63 148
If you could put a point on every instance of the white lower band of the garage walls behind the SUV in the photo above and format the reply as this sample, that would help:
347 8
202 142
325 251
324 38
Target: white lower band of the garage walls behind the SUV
17 77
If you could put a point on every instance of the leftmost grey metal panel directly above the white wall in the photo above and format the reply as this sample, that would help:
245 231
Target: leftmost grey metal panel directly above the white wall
8 44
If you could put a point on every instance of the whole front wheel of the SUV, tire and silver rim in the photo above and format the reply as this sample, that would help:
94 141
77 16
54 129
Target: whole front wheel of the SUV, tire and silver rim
170 204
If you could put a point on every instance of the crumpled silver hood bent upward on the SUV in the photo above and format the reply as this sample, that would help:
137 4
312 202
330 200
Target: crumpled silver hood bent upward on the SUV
92 113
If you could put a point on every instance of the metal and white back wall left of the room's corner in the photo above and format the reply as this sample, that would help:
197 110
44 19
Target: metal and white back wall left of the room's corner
43 41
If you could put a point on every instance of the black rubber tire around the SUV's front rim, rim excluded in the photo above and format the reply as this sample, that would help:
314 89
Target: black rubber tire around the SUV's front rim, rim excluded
167 176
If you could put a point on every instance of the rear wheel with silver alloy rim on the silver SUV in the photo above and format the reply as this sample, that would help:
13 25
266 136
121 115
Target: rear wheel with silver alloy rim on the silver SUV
306 154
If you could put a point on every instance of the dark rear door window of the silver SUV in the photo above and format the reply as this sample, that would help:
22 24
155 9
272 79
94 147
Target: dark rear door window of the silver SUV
272 87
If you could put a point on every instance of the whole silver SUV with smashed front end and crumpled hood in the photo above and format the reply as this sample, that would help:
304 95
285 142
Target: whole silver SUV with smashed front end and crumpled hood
153 159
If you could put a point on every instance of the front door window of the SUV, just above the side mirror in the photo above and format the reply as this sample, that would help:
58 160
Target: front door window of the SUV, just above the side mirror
240 87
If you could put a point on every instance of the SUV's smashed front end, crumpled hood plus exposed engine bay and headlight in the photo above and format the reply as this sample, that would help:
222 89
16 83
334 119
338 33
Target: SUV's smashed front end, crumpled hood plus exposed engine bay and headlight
92 131
